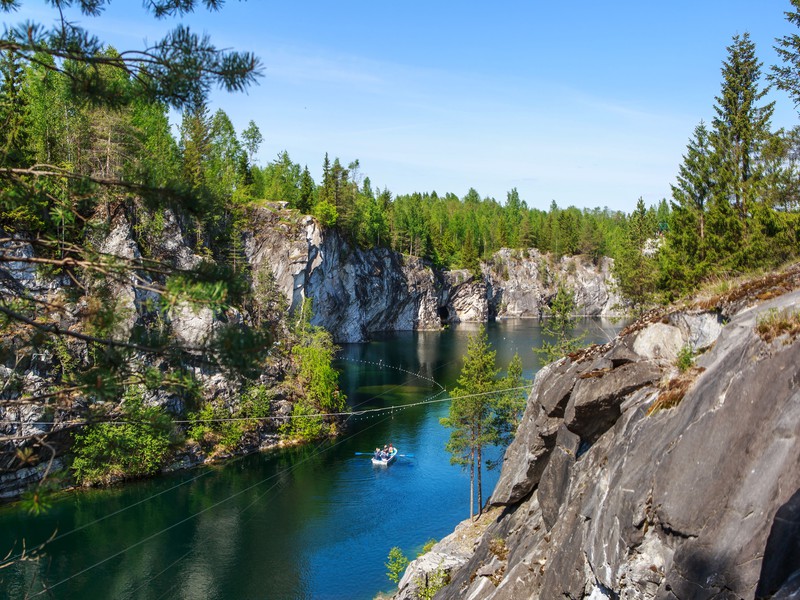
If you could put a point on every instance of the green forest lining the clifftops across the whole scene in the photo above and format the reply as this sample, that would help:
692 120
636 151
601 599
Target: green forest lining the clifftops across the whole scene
734 205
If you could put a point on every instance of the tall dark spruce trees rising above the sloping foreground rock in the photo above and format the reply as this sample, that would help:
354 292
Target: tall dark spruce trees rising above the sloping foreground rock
736 202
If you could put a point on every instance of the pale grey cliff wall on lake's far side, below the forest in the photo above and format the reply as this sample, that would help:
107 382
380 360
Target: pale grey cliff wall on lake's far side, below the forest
357 293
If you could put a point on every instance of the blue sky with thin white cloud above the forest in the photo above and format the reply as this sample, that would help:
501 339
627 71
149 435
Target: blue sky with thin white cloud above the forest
586 103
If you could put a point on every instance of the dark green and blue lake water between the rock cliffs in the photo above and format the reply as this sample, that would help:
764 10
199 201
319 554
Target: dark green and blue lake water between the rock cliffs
315 522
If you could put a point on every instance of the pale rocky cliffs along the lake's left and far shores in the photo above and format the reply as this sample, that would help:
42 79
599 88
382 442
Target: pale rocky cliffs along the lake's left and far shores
356 293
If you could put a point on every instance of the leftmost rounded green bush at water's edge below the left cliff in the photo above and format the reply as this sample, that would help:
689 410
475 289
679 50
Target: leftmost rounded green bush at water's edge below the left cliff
136 446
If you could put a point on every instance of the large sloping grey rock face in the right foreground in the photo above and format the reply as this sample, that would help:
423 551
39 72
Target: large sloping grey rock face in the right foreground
663 501
